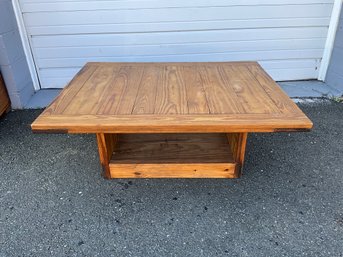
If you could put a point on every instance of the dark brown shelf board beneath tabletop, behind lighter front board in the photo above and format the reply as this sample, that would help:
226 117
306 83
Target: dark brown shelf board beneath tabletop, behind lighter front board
158 148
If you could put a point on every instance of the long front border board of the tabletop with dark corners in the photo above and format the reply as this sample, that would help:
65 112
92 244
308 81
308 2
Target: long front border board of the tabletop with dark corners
170 124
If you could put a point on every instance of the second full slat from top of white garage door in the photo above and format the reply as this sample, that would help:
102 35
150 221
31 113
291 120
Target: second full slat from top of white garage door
176 26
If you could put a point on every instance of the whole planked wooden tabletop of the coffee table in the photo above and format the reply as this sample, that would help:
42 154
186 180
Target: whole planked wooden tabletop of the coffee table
171 97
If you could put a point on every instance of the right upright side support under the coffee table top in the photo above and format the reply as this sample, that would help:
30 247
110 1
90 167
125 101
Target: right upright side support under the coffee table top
237 143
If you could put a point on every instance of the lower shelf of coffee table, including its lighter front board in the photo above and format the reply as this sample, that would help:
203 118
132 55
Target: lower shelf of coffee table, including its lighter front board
173 156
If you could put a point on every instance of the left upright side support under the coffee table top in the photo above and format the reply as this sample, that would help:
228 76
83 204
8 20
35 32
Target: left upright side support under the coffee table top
106 145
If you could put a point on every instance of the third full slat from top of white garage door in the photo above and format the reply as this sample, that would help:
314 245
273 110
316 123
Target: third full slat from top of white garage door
178 37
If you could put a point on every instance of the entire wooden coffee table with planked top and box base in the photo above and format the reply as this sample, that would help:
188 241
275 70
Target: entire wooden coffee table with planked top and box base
172 120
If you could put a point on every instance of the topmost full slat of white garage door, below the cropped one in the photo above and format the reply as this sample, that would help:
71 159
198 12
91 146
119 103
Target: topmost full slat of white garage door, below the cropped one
175 14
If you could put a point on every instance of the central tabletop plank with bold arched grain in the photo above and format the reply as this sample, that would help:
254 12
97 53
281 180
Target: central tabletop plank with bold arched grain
171 94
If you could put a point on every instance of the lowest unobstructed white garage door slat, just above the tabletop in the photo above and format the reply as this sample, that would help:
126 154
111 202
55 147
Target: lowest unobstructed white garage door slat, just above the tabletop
167 49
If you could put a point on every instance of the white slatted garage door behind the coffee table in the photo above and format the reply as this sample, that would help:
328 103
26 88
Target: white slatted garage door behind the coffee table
287 37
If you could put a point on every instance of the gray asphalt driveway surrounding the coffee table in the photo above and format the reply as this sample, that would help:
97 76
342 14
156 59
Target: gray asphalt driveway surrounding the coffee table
289 202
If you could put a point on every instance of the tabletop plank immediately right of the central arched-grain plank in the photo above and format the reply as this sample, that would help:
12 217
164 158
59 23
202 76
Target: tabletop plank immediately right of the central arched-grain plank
196 97
